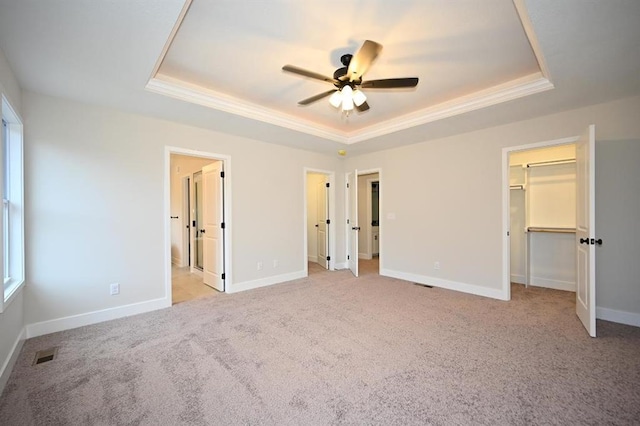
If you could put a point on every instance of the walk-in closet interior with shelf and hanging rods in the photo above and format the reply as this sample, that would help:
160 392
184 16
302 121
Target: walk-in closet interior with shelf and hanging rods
543 217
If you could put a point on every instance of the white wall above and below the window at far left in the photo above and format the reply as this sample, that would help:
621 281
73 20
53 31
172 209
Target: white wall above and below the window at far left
12 319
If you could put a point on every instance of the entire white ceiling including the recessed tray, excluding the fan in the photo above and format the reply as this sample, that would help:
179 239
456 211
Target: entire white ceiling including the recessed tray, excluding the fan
217 64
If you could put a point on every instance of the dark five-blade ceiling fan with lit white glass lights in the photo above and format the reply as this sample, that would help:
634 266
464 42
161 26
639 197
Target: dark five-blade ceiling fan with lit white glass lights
348 79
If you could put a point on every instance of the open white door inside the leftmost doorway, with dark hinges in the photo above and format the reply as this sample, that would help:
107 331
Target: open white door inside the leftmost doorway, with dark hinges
213 218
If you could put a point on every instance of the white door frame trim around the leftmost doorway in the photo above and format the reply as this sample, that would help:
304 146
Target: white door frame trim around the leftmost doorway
226 160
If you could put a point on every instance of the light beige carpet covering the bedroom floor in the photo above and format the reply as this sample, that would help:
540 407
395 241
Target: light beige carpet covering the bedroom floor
332 349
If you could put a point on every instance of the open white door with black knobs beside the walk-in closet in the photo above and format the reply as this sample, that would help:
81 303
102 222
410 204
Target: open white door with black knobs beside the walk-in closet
585 231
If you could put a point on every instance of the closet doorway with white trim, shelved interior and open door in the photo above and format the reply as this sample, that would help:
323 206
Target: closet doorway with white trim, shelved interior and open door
549 219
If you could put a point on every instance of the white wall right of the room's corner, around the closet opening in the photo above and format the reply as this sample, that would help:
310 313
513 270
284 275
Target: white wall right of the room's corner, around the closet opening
455 217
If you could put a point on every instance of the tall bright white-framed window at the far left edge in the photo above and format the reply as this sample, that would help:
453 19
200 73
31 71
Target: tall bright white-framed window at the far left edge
12 204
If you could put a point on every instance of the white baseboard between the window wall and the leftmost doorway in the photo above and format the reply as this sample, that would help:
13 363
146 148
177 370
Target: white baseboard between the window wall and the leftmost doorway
80 320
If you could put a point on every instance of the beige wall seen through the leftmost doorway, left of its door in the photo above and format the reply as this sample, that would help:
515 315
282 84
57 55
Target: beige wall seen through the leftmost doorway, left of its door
181 167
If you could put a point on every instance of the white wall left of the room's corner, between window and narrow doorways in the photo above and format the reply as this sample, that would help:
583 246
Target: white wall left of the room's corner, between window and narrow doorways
95 191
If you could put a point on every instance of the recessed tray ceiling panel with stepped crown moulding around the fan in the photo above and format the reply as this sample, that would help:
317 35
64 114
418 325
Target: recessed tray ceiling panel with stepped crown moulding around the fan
229 55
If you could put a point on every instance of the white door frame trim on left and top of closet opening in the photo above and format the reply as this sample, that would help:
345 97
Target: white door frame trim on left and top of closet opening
506 199
